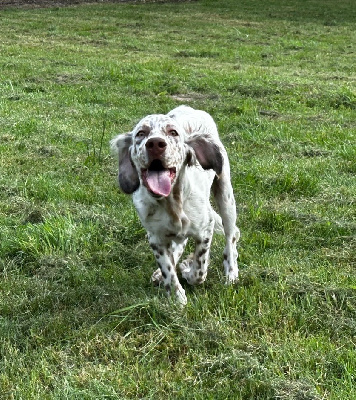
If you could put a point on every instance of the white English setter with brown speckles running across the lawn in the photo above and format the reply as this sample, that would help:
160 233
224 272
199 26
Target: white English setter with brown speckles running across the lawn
170 163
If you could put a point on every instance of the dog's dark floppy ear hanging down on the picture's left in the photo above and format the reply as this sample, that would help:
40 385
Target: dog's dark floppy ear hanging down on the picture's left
128 176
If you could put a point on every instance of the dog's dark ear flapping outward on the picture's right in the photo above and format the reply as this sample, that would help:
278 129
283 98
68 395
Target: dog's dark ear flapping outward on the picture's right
207 152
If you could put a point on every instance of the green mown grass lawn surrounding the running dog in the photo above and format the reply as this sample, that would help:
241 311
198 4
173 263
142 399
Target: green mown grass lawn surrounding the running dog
79 318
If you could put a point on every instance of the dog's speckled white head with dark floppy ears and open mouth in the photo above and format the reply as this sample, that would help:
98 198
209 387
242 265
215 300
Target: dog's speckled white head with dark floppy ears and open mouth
157 150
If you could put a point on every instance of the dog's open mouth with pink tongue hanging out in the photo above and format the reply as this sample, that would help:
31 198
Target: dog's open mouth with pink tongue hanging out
158 179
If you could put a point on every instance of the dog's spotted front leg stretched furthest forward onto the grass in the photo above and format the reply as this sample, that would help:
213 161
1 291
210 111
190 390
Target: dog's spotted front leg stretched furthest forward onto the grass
166 263
